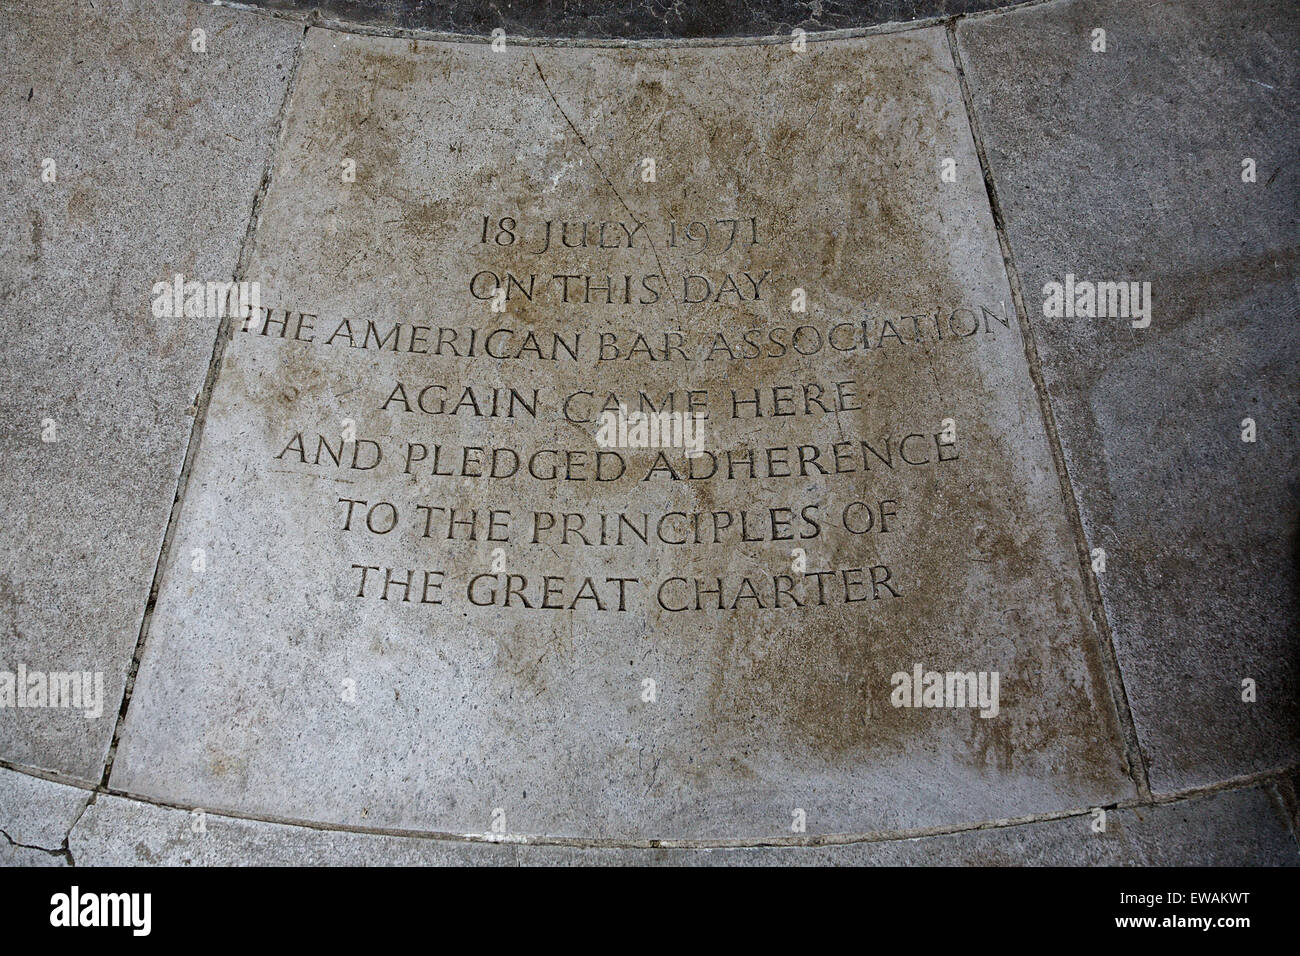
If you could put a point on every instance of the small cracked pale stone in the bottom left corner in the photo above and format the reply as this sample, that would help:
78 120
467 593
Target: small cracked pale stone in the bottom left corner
36 816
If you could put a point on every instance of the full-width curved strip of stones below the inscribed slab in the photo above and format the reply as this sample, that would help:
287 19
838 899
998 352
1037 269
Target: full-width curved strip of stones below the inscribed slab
45 823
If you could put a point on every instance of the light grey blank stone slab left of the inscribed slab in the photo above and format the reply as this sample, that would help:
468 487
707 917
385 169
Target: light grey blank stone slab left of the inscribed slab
158 155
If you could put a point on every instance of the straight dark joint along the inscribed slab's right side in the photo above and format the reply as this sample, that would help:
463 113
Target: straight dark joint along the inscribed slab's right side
1139 771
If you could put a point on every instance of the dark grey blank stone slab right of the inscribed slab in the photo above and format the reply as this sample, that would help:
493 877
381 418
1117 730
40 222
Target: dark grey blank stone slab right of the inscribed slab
1129 166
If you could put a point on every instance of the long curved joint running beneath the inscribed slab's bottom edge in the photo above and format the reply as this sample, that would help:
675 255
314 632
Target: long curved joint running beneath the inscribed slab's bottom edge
1266 778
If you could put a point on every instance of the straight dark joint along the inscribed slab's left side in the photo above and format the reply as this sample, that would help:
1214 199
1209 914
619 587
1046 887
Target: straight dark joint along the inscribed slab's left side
202 404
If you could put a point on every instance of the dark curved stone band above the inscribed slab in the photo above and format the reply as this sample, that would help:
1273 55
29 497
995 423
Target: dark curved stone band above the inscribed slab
634 20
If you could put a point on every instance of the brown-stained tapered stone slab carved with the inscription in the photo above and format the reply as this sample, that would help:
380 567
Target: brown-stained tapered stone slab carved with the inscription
439 596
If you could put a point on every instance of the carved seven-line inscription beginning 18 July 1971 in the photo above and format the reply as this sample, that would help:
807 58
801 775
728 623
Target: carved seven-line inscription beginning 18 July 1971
622 436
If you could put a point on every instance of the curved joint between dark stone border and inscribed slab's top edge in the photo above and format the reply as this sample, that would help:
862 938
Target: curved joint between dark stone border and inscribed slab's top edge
345 27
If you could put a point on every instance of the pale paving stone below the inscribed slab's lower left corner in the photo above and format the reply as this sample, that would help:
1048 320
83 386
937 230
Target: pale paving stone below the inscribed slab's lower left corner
128 833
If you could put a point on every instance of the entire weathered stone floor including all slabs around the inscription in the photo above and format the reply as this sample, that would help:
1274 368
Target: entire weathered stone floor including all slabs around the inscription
994 317
